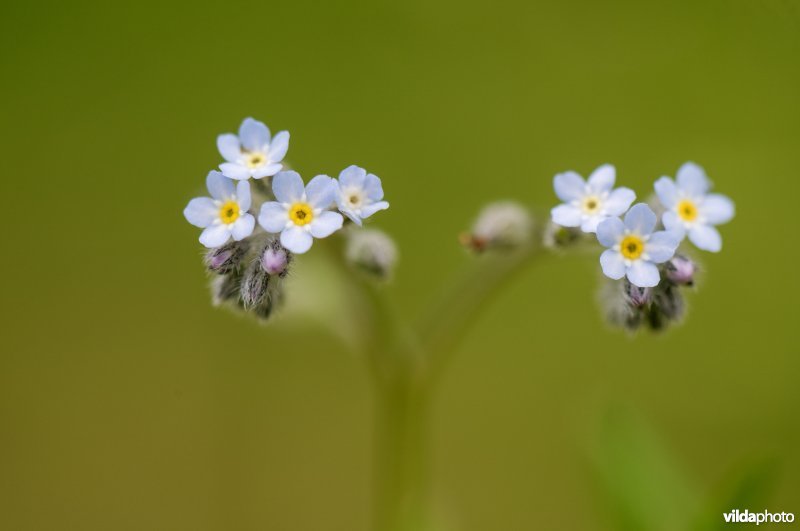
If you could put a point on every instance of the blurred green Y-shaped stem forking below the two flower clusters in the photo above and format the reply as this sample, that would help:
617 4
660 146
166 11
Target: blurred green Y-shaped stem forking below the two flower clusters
406 365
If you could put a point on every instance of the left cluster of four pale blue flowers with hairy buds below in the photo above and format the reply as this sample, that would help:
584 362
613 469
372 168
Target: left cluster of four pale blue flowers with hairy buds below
251 246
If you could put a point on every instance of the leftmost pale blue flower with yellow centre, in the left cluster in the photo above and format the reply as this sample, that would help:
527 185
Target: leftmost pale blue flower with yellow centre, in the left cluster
224 214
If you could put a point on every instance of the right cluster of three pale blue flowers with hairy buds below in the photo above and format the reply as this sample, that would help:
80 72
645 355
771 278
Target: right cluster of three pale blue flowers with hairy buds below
641 250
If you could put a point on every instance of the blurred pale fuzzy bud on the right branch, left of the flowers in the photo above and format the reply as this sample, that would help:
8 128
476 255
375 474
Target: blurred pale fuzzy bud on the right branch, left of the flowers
499 225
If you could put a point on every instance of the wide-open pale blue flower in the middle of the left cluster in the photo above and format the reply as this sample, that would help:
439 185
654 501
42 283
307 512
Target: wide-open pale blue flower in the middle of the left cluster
300 212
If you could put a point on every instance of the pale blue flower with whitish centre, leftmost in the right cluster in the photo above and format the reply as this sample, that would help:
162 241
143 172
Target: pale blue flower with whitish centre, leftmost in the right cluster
586 204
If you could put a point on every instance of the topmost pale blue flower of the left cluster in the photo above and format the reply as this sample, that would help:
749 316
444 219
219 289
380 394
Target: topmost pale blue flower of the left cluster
253 153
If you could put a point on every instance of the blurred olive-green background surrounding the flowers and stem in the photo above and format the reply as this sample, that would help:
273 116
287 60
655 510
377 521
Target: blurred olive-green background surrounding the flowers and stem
128 403
